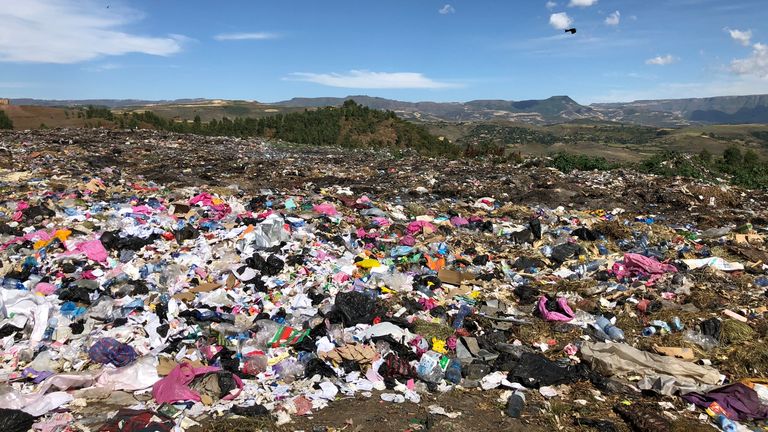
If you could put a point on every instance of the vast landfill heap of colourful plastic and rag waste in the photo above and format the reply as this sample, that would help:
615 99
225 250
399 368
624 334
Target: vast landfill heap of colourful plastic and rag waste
153 281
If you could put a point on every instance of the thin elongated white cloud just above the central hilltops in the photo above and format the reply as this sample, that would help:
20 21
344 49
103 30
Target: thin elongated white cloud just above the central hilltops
364 79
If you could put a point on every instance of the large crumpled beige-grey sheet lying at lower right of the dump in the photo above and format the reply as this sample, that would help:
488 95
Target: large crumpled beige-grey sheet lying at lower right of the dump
619 359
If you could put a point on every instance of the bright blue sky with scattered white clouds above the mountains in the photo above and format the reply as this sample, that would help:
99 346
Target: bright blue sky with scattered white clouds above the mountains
454 50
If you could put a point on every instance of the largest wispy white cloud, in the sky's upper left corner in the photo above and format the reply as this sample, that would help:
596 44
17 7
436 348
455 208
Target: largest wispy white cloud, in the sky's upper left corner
71 31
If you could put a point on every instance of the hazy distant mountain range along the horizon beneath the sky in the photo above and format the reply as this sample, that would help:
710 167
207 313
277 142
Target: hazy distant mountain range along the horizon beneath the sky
556 109
